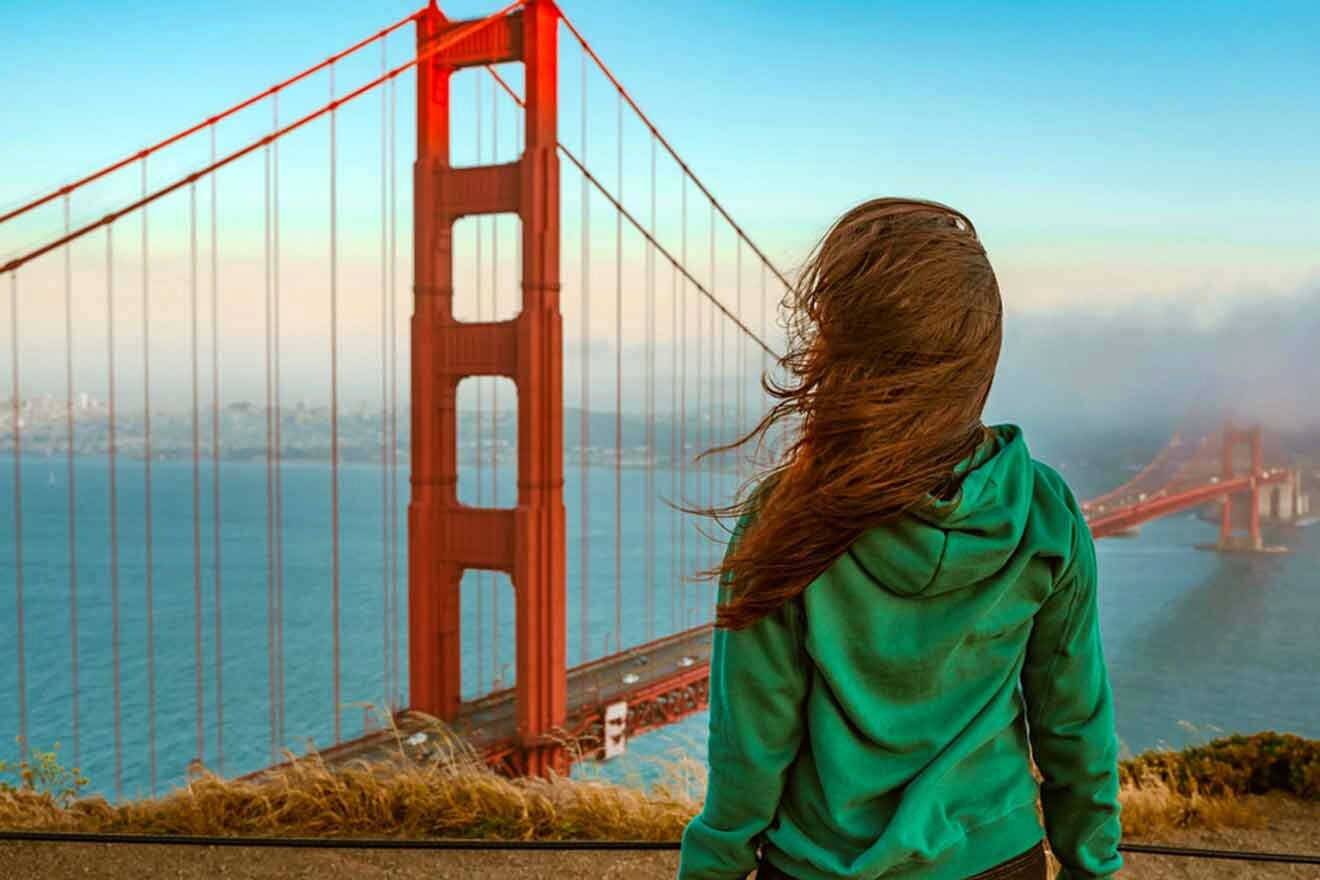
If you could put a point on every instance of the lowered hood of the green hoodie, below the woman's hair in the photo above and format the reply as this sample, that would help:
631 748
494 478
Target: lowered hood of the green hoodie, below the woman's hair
962 542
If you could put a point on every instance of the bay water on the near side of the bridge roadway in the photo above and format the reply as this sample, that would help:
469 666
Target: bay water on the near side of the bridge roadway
1198 644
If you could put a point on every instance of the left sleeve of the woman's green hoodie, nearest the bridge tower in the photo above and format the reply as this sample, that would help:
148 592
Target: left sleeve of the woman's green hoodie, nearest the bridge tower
758 684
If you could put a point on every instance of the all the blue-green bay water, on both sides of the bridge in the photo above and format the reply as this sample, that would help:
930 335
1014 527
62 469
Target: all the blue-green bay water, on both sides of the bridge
1198 643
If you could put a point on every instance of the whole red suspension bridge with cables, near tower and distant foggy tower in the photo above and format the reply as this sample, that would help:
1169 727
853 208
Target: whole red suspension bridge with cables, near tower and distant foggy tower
624 691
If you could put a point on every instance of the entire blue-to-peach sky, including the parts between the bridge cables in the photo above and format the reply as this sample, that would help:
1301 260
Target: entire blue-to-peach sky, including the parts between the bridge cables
1124 163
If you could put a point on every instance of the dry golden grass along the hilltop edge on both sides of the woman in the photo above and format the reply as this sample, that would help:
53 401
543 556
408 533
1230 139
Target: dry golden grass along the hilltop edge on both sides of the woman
452 795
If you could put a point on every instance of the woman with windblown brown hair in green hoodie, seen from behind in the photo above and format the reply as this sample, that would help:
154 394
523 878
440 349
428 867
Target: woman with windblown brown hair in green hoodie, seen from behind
909 600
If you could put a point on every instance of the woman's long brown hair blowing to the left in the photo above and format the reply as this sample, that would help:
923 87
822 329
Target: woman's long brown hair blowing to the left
894 329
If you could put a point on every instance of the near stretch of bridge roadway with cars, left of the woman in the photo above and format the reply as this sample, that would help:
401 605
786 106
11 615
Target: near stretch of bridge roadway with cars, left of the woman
662 681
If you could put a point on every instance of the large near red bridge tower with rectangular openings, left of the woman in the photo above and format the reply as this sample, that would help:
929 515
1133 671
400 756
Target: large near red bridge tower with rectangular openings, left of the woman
447 538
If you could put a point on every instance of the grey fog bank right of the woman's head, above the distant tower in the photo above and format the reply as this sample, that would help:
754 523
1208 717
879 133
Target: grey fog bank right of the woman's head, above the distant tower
1150 365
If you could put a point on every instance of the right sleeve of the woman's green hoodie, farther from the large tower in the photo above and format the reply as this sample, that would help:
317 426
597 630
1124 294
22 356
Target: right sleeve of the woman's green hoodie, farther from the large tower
1071 720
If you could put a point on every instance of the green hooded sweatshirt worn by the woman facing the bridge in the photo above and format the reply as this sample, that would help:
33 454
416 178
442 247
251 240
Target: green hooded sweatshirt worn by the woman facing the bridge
874 726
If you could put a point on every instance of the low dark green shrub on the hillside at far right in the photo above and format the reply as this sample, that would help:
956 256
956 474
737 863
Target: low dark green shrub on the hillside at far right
1255 765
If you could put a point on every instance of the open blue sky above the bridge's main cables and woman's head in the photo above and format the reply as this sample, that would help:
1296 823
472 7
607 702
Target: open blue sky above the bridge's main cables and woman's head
1112 141
